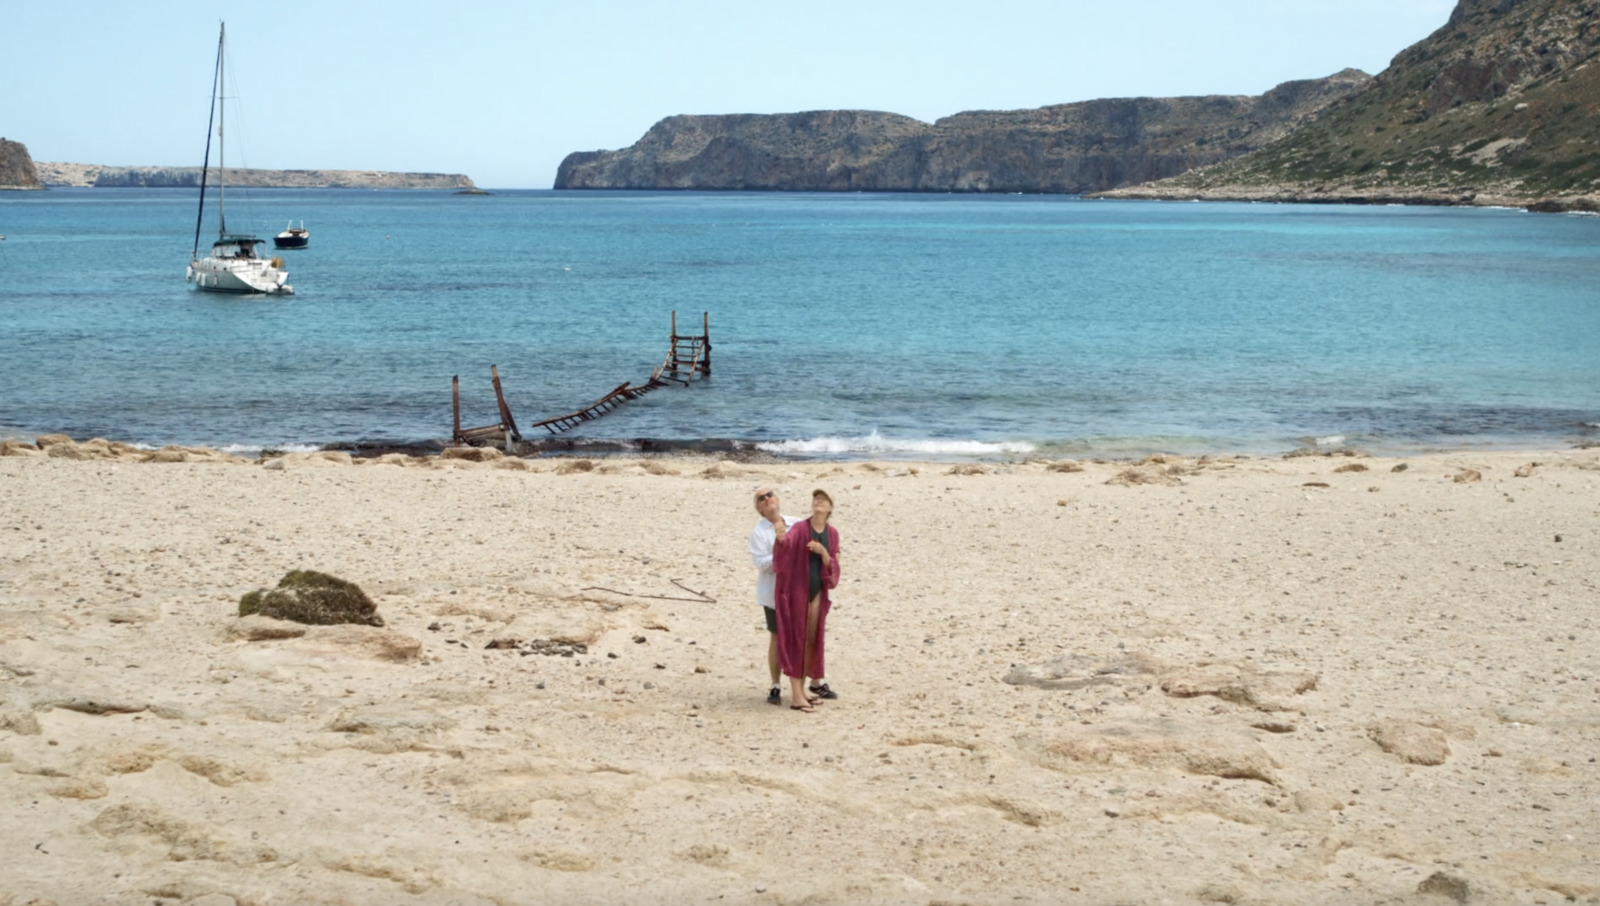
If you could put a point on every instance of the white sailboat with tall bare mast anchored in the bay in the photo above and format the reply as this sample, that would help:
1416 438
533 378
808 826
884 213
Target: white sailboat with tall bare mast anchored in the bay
233 267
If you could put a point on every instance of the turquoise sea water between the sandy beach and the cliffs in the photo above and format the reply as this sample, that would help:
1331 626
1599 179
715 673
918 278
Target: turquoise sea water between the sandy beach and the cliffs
842 324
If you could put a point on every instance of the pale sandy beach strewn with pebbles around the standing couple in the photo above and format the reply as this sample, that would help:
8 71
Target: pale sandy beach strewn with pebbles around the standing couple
1316 679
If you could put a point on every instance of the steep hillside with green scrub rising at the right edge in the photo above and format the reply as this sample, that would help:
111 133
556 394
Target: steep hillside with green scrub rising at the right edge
1498 106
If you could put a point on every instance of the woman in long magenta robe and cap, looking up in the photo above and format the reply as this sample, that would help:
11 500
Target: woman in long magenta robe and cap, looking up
807 566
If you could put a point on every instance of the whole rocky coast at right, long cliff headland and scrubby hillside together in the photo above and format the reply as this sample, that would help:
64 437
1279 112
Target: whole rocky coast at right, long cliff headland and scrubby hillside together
1497 108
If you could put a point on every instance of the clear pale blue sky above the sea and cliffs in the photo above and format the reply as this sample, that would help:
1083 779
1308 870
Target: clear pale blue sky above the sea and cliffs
503 92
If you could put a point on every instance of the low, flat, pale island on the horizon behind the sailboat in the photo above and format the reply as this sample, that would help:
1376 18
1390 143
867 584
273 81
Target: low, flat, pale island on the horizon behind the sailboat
98 177
